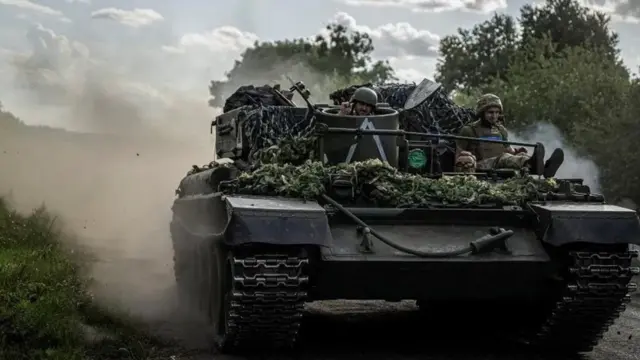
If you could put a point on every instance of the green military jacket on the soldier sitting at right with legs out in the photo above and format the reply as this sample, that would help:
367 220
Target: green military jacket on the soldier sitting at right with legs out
483 150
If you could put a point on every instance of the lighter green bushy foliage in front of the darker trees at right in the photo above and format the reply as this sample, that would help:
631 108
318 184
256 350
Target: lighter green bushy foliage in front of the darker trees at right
590 99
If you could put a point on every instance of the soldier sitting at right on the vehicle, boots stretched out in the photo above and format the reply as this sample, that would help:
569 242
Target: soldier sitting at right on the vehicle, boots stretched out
495 155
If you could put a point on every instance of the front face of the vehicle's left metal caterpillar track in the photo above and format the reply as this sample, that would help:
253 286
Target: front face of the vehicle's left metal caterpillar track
259 299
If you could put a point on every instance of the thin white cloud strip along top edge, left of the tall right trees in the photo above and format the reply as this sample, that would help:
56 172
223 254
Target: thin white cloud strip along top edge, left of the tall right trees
480 6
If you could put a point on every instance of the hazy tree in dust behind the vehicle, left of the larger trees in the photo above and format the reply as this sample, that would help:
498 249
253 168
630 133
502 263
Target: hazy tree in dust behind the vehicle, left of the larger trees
339 53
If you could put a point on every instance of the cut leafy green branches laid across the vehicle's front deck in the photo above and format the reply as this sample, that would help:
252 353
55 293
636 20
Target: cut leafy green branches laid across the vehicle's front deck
385 186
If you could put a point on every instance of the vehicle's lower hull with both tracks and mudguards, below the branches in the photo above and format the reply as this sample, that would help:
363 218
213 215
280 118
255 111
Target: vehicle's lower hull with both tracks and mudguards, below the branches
250 263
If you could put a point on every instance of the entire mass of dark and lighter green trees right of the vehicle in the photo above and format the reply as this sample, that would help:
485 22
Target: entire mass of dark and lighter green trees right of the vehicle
562 67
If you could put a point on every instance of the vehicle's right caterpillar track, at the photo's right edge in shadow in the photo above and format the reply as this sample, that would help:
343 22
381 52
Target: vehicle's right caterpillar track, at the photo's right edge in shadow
597 290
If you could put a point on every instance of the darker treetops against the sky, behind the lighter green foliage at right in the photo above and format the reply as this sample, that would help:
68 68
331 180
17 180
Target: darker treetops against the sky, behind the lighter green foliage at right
470 57
